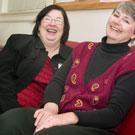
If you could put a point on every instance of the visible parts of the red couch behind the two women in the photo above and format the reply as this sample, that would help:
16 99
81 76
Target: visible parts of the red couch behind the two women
127 127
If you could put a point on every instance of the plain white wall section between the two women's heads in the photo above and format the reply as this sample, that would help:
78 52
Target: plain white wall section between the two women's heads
88 24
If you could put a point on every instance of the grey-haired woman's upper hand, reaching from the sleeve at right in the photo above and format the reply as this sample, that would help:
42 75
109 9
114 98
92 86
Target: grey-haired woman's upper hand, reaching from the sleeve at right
56 120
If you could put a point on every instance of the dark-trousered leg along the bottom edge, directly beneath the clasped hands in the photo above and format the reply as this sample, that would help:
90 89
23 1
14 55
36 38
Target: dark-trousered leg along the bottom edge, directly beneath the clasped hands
73 130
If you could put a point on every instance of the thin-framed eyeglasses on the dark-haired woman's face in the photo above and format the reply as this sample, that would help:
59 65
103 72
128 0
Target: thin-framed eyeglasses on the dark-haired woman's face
49 19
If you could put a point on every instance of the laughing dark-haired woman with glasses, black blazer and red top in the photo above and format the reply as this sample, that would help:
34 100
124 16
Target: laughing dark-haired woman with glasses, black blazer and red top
28 62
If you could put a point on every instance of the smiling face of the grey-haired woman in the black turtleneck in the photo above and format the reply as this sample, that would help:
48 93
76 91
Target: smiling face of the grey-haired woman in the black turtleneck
120 27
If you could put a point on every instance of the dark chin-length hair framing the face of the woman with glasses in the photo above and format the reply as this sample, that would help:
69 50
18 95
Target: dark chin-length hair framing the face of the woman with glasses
44 12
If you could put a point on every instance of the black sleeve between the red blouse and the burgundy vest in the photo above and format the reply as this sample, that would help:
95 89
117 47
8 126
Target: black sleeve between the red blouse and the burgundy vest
55 88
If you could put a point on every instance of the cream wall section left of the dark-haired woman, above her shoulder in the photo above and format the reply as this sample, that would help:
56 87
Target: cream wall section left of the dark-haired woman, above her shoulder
15 23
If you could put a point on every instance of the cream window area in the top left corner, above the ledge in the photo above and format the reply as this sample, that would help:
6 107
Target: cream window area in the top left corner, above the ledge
12 6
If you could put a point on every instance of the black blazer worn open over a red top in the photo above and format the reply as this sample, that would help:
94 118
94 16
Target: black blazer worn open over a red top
20 61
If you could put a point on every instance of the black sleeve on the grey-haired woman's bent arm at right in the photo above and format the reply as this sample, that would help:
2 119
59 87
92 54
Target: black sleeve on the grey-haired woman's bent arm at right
123 95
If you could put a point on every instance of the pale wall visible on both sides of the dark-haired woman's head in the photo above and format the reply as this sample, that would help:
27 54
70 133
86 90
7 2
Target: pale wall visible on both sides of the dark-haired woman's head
85 24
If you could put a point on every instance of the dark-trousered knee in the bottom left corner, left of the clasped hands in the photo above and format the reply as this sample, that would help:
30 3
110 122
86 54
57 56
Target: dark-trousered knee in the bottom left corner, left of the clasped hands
17 120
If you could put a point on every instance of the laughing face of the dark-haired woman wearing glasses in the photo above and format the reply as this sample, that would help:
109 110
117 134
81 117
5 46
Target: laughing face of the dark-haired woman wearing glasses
51 27
